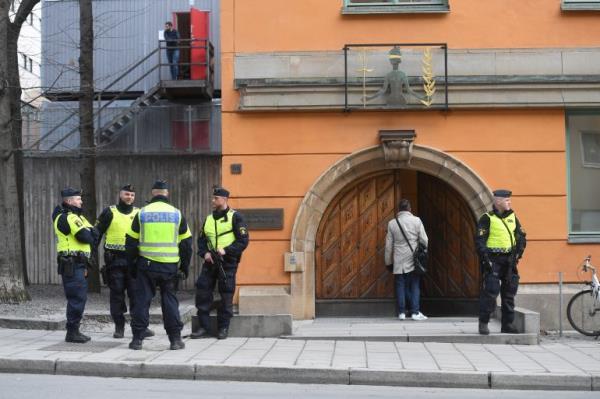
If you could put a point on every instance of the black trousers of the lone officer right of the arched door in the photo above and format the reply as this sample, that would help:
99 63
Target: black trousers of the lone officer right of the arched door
502 280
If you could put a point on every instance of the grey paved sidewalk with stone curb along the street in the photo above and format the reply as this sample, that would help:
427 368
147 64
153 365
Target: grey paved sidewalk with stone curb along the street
567 364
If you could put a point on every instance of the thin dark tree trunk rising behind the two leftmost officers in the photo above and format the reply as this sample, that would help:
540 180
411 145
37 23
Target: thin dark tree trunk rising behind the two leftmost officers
86 121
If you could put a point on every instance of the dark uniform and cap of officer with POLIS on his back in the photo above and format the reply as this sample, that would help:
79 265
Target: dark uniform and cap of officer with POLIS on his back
150 274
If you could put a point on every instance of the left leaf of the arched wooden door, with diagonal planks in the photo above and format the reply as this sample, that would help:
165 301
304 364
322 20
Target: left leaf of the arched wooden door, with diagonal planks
351 240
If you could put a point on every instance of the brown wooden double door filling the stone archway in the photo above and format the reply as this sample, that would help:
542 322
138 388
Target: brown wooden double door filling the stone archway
351 238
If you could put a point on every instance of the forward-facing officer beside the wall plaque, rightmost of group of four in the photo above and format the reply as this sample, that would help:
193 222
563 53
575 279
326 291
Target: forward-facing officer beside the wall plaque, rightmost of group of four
223 238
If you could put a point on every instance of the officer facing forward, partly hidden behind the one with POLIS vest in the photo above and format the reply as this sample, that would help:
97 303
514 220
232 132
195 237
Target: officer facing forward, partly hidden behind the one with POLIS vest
115 221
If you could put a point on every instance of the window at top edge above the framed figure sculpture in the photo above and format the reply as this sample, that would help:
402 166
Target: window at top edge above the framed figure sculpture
394 6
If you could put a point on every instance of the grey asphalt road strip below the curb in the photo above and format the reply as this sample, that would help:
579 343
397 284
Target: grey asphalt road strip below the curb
26 386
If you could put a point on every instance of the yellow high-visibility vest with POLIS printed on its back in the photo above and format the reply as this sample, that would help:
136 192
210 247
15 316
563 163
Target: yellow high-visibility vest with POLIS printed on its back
159 232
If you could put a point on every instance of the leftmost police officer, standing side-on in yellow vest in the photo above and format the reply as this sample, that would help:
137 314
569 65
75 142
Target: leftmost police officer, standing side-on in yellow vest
75 238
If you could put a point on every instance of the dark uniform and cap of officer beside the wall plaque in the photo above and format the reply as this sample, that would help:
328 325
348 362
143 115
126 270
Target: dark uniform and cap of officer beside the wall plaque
210 275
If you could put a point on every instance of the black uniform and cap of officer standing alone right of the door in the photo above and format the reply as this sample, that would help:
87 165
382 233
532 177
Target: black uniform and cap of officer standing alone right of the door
499 270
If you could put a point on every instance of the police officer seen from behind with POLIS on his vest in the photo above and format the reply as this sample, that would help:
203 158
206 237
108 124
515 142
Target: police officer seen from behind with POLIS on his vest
159 245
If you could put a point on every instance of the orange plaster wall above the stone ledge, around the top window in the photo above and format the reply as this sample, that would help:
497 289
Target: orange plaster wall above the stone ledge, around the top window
285 25
